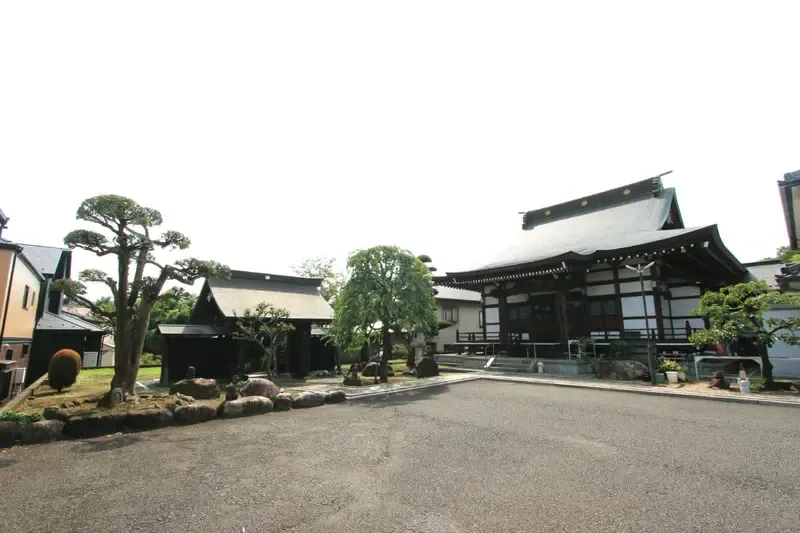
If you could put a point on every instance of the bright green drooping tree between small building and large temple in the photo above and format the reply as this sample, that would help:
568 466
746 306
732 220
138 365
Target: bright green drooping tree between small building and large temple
386 286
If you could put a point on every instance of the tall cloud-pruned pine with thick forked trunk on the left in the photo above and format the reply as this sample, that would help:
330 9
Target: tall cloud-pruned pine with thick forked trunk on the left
134 293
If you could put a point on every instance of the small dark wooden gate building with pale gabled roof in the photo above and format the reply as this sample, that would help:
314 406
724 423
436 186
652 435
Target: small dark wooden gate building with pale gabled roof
208 343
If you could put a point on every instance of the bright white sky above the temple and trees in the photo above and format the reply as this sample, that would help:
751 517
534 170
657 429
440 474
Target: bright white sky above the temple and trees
274 131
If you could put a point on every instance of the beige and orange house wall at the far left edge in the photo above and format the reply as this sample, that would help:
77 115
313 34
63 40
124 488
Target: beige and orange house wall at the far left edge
20 285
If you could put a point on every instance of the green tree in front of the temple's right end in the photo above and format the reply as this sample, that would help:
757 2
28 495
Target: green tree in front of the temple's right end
738 312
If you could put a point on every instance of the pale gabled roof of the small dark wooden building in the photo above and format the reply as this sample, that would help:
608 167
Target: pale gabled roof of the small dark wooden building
245 290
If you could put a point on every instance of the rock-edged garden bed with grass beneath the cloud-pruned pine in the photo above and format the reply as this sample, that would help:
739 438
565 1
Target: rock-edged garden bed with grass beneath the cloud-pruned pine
82 411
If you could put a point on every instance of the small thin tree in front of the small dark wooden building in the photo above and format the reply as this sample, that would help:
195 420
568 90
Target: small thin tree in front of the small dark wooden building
267 327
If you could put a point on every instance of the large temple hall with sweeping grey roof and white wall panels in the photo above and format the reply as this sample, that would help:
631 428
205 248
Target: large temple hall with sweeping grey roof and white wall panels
565 276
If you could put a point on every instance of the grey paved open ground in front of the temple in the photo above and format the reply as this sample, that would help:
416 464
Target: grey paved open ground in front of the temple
480 456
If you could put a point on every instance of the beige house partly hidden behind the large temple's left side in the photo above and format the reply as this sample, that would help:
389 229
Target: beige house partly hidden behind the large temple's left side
460 307
